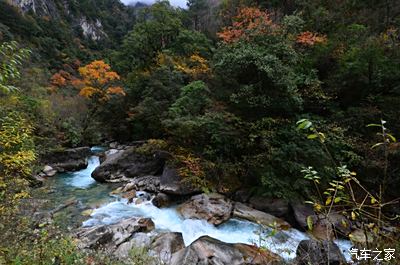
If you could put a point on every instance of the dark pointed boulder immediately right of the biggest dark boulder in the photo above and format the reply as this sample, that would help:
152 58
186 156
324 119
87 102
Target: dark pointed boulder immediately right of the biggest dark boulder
171 183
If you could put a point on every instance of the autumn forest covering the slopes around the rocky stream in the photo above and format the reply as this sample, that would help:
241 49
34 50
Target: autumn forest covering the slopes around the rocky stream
292 103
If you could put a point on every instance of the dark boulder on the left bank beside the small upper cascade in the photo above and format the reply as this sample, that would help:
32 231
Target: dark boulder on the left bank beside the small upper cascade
67 159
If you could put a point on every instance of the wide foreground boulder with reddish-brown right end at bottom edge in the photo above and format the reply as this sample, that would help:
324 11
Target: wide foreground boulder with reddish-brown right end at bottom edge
210 251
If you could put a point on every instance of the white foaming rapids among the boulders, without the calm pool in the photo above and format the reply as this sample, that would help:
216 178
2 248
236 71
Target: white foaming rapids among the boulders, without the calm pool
283 243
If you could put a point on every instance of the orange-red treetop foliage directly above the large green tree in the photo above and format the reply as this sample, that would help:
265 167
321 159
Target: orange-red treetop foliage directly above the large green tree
250 21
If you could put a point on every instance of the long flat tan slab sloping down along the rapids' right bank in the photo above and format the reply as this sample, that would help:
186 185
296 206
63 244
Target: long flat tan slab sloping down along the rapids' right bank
245 212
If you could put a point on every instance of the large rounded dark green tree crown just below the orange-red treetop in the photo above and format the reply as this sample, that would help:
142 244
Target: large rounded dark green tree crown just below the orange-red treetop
261 77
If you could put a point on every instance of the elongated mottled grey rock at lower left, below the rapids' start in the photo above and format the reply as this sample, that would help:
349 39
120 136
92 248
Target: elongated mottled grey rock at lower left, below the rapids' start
111 236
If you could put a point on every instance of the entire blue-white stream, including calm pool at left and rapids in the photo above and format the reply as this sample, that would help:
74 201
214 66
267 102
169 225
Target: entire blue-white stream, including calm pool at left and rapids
109 209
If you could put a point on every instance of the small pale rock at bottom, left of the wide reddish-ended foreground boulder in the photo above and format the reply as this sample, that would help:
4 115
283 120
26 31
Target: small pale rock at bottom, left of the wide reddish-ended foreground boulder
166 244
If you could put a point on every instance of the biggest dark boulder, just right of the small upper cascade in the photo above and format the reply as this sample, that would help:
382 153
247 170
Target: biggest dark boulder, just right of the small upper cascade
125 164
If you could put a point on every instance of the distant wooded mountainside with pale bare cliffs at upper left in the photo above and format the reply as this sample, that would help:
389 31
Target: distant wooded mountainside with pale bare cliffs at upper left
65 30
